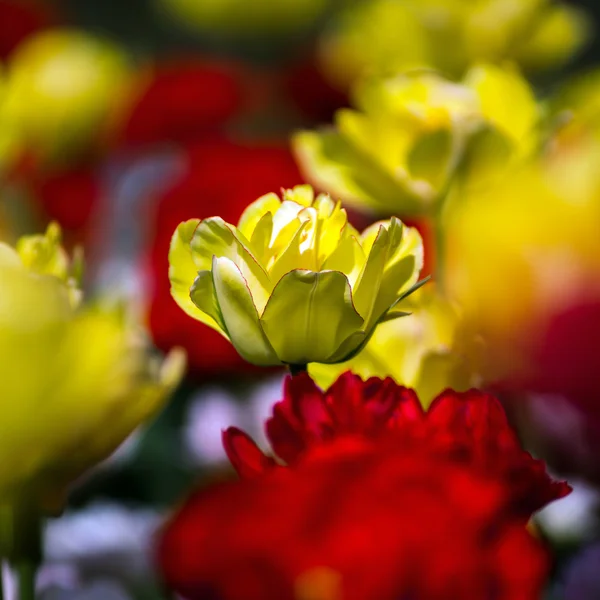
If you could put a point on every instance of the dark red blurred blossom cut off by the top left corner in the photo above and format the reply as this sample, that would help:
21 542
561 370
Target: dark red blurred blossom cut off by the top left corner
20 19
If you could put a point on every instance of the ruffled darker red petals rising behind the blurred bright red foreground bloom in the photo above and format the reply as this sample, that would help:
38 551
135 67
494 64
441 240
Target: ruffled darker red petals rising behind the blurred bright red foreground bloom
468 428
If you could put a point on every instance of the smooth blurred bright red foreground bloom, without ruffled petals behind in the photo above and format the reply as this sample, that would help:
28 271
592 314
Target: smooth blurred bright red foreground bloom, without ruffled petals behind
357 522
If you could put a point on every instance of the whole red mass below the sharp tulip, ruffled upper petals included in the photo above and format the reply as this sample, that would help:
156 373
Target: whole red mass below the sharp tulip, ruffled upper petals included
380 500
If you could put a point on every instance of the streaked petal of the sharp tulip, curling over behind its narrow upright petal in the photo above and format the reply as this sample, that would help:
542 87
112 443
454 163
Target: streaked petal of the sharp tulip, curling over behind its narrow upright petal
215 237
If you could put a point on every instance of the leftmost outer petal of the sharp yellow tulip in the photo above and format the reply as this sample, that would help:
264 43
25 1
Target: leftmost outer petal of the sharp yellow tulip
183 272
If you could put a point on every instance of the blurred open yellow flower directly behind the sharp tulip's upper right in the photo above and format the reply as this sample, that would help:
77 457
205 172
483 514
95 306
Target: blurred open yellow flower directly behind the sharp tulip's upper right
412 134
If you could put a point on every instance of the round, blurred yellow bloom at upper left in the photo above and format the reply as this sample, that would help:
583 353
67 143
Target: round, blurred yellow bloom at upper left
61 87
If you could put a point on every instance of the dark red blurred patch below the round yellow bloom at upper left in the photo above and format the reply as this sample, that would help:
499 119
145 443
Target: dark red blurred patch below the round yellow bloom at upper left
68 196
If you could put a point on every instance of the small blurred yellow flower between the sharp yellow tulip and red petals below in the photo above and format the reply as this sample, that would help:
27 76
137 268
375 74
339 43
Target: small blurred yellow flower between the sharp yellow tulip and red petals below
422 352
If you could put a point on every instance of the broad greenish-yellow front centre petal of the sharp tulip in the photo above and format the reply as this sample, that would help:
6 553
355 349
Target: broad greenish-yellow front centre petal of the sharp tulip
309 314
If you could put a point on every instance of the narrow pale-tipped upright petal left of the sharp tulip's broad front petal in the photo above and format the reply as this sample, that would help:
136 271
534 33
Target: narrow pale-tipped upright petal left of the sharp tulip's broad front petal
240 316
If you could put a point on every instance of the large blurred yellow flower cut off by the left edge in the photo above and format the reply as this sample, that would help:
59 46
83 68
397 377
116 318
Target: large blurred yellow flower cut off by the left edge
76 380
